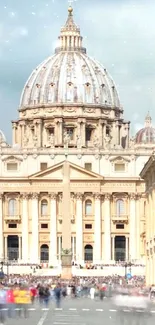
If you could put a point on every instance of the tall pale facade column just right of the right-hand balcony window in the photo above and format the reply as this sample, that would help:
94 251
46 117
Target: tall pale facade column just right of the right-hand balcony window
132 244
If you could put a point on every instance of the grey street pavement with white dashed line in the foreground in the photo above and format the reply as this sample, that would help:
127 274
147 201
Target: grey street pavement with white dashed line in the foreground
83 311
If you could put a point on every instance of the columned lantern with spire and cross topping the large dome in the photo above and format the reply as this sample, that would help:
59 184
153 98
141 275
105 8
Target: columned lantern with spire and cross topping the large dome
70 38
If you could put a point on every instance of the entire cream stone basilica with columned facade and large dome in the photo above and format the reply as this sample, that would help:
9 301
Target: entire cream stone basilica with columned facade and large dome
71 179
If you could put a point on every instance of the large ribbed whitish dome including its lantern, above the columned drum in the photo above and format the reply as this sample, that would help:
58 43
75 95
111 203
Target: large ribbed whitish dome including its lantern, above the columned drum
70 76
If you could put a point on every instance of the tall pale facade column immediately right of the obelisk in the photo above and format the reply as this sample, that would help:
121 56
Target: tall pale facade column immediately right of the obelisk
79 228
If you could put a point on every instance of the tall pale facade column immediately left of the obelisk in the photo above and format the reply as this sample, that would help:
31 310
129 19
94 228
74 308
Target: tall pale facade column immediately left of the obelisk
53 230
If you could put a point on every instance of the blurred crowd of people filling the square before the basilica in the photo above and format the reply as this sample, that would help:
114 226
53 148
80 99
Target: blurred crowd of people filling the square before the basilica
18 292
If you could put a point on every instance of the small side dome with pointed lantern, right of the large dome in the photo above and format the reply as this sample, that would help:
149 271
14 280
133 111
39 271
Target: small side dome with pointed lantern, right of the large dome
147 134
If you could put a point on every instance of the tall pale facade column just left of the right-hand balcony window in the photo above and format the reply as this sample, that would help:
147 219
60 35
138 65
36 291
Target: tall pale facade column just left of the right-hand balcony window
107 228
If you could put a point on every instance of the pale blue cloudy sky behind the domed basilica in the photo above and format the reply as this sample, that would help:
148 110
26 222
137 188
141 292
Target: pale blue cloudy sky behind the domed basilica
118 33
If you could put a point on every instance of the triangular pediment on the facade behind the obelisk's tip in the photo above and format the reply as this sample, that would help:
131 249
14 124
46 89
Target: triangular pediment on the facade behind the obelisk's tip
56 172
